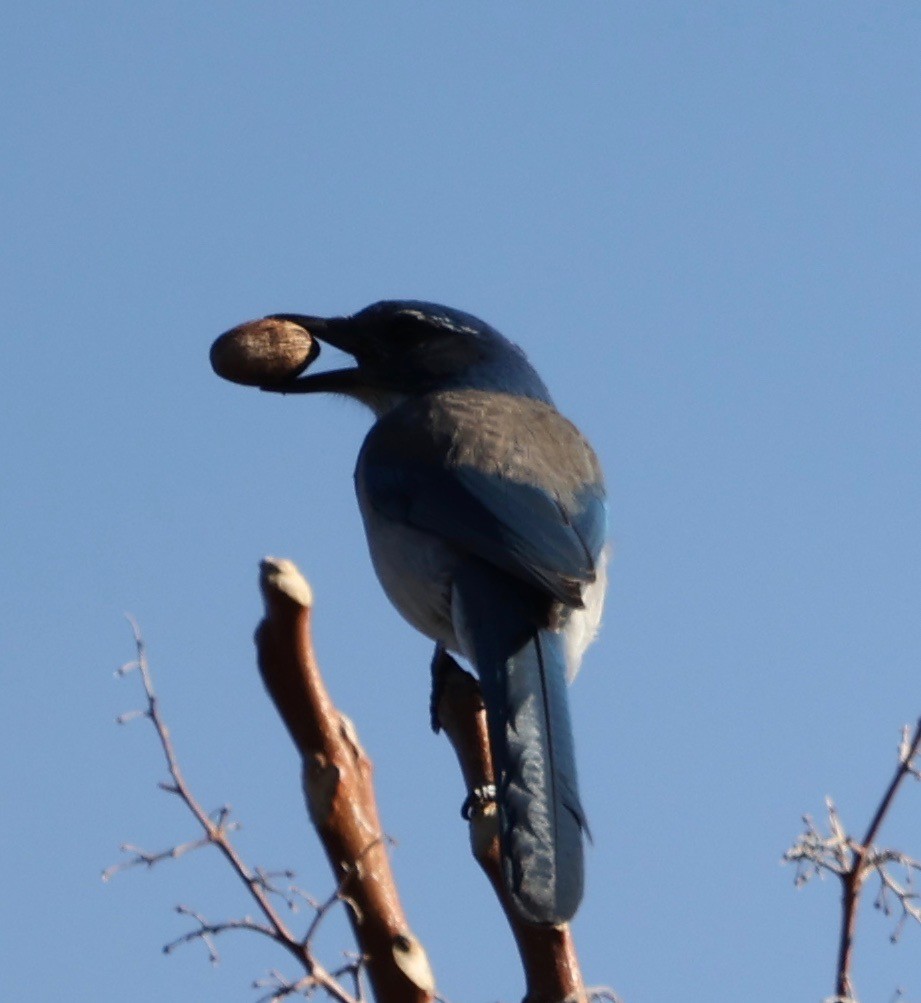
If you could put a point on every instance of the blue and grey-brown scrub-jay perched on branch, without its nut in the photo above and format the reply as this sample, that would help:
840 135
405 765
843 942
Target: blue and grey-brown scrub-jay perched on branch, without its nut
486 518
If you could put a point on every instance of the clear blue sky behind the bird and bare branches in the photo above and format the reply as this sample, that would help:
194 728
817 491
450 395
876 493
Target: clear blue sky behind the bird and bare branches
704 224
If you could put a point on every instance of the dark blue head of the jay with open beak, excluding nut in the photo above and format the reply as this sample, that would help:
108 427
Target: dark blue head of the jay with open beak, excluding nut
406 349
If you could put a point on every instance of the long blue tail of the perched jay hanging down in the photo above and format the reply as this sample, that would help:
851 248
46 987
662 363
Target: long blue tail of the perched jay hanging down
523 678
